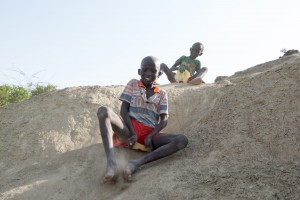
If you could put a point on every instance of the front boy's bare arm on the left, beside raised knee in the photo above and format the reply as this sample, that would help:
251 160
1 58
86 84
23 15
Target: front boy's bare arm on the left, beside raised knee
125 116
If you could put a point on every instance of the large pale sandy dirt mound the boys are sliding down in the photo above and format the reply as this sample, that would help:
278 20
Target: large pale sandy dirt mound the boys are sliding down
243 133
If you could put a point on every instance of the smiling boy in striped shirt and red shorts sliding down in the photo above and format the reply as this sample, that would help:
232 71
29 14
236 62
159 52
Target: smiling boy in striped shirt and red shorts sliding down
144 113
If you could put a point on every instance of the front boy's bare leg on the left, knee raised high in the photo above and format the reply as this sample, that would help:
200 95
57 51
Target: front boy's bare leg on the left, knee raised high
109 121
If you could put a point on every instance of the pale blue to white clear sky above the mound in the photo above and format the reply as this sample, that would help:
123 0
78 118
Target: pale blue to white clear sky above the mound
95 42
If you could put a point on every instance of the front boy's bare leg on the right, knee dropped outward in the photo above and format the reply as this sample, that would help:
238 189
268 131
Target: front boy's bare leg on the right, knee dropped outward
164 145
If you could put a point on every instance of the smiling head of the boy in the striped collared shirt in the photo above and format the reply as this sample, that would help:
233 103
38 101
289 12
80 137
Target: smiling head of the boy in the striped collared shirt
150 70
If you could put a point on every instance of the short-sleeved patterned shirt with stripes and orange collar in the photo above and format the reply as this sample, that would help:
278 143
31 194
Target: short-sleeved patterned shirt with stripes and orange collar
144 110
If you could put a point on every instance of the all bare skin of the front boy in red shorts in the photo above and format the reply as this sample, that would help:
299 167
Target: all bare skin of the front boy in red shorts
160 146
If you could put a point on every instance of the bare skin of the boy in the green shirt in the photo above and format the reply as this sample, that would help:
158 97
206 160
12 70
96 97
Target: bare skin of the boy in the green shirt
195 51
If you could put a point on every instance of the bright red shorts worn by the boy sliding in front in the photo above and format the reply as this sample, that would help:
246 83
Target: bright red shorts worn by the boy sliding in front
141 130
